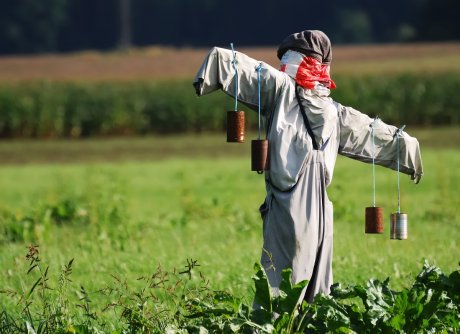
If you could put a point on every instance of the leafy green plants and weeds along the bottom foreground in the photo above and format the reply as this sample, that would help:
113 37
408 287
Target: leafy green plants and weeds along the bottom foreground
181 301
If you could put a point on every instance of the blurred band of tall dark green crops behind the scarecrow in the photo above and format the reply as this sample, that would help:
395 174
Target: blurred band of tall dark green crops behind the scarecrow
54 109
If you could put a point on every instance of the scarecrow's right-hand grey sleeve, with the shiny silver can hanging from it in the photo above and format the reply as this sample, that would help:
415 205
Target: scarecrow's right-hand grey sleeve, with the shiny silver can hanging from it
358 142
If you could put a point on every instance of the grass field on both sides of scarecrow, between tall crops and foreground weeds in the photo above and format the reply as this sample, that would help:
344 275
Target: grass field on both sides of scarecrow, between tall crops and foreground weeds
119 212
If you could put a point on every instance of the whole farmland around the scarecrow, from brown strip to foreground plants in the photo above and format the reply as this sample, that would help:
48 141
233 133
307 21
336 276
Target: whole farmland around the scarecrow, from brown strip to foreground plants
124 203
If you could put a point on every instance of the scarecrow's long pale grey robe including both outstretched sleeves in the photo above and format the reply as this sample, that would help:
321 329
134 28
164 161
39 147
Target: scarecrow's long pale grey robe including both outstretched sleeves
297 214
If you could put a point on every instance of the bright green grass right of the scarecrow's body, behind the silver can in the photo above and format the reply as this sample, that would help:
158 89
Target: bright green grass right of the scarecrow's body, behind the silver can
432 207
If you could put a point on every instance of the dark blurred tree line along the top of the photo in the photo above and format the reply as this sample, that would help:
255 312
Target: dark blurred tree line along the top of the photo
34 26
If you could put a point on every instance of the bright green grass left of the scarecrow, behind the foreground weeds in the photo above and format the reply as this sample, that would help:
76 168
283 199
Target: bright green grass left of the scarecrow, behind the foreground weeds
168 212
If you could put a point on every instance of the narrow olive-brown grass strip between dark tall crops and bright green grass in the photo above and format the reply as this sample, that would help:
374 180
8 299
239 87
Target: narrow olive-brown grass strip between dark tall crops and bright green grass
29 151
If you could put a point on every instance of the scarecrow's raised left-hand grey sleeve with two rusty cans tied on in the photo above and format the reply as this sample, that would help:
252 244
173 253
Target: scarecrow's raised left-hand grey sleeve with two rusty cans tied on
217 72
